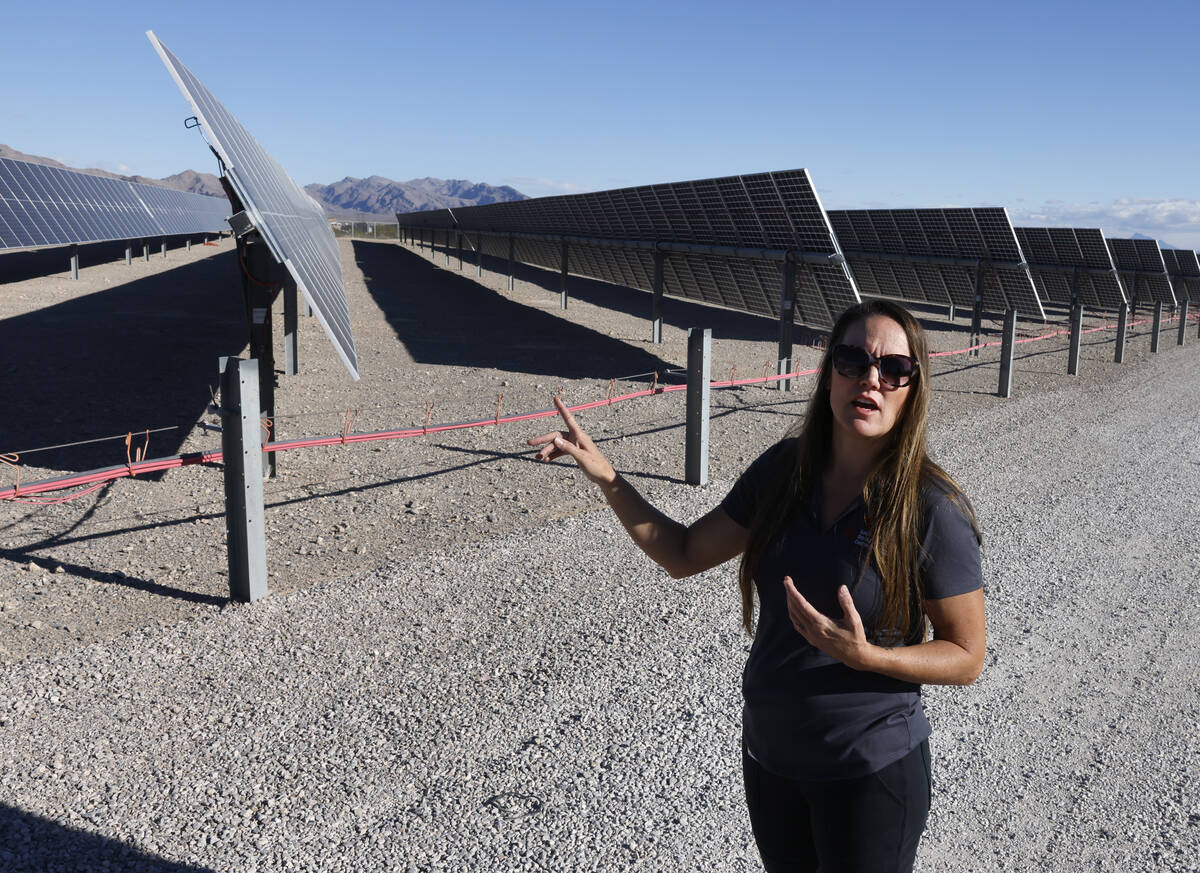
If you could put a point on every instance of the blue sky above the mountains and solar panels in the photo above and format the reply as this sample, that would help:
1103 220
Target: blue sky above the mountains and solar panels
1066 113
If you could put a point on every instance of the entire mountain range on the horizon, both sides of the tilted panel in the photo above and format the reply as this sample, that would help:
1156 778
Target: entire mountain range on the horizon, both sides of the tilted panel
369 198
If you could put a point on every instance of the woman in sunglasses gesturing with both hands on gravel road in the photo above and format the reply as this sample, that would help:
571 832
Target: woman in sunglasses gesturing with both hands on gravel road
854 543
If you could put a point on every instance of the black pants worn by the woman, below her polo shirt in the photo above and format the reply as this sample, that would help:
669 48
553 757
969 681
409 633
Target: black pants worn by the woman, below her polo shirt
871 824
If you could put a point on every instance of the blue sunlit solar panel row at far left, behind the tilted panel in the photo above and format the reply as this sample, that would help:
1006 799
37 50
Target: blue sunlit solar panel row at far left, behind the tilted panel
53 207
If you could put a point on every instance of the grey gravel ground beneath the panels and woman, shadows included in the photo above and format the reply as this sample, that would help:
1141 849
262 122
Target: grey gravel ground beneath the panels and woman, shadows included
464 664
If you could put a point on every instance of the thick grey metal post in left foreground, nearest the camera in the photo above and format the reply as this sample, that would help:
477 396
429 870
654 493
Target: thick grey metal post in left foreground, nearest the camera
247 531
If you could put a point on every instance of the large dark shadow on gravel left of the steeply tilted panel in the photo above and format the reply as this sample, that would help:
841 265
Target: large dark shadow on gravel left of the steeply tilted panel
135 357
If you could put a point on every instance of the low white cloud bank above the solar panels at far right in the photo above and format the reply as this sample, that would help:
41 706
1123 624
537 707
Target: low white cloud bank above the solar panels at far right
1175 221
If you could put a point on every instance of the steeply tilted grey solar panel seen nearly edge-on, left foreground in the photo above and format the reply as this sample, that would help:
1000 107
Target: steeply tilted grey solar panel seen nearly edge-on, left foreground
292 224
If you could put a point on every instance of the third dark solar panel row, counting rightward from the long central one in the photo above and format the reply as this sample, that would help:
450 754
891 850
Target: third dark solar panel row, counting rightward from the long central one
1055 254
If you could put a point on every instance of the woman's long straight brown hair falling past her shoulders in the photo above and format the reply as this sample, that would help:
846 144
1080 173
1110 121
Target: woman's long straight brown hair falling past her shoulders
893 490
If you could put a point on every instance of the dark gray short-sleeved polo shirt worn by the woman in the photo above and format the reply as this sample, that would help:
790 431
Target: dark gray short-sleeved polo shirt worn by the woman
807 715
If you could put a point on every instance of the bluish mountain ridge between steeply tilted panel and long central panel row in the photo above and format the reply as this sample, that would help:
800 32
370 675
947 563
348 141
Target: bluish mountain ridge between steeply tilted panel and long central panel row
377 196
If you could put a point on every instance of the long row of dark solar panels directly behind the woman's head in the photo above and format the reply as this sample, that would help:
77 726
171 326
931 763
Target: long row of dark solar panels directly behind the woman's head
767 212
